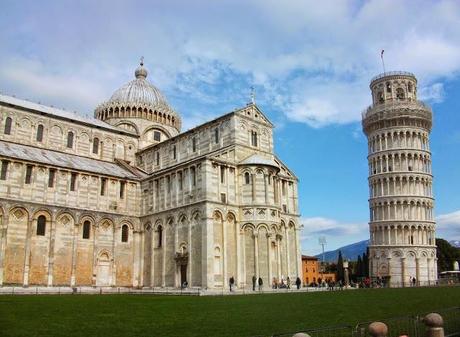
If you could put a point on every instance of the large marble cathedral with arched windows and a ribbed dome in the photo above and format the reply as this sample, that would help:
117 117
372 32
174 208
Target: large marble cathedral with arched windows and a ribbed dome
125 199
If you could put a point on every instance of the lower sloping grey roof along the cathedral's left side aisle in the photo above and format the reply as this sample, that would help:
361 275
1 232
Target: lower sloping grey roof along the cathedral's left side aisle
55 158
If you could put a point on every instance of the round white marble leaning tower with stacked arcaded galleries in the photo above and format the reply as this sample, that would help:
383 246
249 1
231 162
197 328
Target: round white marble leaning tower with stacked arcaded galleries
401 226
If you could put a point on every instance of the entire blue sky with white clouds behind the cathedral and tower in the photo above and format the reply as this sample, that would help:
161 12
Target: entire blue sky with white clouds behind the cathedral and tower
309 61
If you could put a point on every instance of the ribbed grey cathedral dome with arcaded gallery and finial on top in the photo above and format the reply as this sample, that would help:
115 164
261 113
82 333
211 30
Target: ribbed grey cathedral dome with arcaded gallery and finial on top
139 99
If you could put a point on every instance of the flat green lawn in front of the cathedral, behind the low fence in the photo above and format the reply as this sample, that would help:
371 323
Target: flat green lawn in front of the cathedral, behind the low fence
169 316
